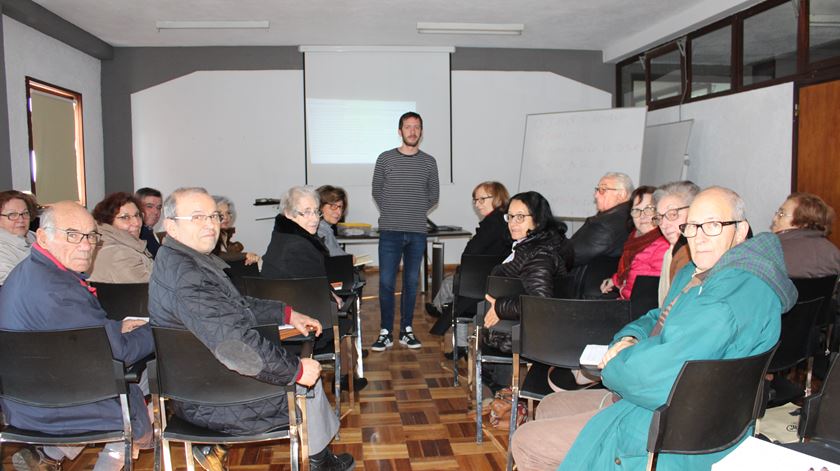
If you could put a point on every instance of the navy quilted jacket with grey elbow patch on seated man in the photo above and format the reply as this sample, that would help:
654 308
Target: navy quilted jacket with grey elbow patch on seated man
189 290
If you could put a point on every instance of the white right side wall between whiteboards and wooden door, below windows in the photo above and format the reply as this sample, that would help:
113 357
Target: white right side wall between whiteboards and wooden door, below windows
742 141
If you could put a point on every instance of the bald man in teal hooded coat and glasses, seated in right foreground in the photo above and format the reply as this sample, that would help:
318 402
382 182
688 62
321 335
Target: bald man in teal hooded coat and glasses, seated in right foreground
727 303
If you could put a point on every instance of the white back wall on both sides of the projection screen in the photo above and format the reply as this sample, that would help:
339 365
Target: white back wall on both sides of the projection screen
223 130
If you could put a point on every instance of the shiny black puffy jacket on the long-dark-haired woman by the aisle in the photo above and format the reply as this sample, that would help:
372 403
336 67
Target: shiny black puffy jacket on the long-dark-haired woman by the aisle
539 260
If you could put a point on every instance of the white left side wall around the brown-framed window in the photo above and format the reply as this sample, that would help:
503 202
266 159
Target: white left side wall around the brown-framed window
31 53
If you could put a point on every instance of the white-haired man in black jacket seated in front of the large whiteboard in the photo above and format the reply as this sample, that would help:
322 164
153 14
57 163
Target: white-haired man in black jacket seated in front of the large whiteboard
604 234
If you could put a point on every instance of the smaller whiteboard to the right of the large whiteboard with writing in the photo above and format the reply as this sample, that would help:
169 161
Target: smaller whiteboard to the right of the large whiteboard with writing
663 154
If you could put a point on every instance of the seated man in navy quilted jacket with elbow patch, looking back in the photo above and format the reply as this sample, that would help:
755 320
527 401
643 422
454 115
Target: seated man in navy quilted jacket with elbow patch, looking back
189 290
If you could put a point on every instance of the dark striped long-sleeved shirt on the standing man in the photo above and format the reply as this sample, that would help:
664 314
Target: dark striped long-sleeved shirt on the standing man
405 188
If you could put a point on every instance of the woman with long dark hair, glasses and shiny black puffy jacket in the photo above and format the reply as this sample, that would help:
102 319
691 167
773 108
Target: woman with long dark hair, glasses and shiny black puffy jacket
540 254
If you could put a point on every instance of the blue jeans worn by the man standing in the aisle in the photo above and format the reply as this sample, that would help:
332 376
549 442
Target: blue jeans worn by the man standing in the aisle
393 246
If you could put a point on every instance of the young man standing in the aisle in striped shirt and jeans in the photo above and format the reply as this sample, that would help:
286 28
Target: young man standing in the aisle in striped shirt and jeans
405 188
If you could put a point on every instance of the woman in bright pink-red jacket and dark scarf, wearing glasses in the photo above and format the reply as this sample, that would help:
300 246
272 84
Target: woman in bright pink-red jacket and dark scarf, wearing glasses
644 249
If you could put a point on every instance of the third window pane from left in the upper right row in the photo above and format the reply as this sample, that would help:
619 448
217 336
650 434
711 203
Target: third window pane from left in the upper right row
711 62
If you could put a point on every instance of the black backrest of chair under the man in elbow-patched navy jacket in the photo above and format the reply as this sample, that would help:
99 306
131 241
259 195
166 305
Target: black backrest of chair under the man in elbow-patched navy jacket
185 370
